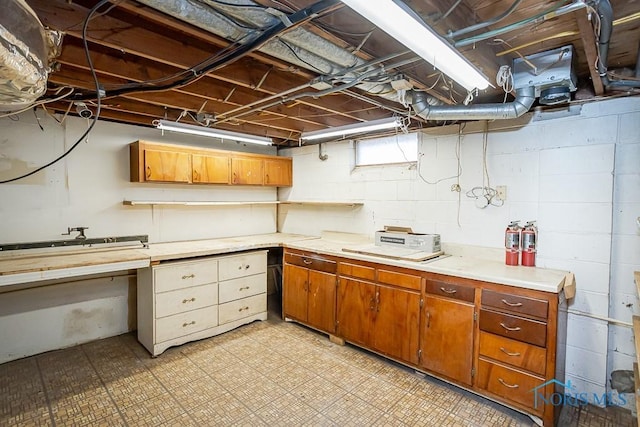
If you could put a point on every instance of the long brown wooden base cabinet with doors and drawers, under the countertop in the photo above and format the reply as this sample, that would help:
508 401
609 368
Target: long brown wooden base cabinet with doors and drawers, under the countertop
499 341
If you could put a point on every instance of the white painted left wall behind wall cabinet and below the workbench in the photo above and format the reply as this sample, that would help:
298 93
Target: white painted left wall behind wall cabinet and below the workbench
87 189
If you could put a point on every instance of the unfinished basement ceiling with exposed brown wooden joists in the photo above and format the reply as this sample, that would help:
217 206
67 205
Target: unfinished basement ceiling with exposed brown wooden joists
268 91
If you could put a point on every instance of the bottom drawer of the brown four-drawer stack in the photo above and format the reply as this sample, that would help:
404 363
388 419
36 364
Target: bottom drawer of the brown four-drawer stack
509 383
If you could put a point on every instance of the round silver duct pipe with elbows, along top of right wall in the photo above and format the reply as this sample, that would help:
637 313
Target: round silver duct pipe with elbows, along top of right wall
520 105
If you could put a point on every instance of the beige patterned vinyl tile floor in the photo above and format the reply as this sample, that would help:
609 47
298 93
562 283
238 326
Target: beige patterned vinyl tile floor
270 373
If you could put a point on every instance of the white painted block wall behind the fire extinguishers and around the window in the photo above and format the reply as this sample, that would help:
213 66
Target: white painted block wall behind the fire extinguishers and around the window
559 169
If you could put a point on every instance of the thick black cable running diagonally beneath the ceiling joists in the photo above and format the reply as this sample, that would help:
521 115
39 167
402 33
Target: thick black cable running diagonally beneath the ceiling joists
269 33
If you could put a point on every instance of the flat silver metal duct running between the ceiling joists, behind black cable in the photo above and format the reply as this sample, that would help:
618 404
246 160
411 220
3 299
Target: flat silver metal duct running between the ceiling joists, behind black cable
298 46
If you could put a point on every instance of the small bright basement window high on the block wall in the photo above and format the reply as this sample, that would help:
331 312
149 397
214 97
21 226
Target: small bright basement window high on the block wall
401 148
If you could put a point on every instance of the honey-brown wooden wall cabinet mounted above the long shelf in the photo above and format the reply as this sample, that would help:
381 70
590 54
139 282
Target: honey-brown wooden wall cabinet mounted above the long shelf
153 162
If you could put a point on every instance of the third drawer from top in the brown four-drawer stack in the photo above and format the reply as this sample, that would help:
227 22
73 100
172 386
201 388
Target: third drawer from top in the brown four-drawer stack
516 353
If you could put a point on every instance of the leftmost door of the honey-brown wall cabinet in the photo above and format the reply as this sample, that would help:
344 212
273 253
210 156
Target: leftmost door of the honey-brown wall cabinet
166 166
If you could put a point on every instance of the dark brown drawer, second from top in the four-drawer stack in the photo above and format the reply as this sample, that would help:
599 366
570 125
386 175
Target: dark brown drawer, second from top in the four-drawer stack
515 327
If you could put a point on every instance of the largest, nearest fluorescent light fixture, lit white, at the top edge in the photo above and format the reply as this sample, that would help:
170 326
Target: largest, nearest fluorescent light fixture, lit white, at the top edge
414 34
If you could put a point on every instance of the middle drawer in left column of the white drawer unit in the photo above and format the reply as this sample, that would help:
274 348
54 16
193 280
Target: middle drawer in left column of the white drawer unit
169 303
